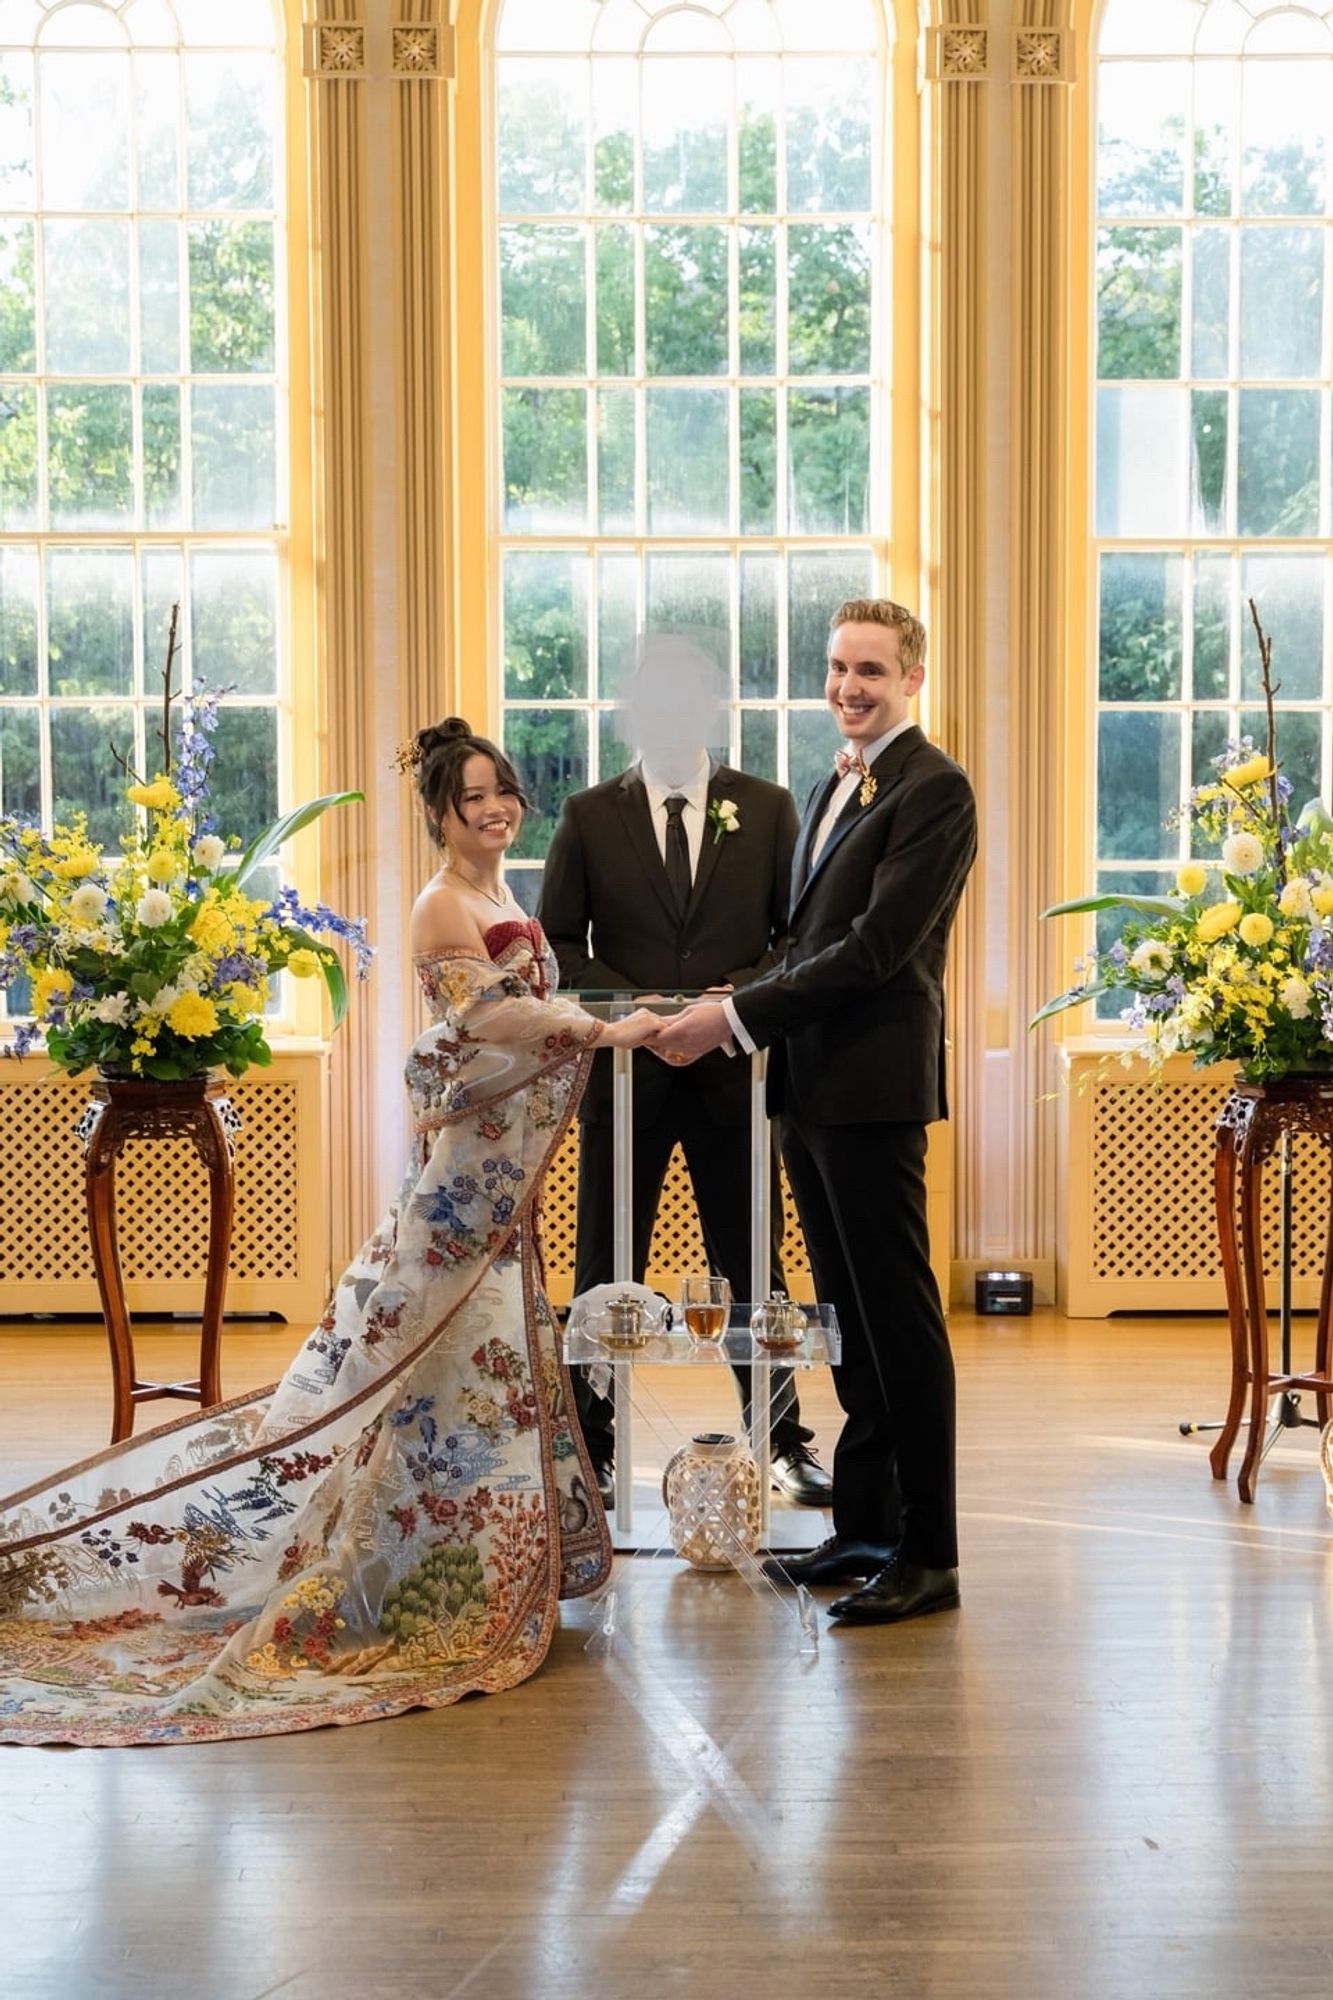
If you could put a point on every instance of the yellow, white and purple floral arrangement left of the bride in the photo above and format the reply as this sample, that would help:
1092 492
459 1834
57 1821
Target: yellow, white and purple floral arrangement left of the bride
153 961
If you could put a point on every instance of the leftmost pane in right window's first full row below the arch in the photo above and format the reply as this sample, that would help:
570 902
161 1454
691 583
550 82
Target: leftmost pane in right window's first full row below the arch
1142 139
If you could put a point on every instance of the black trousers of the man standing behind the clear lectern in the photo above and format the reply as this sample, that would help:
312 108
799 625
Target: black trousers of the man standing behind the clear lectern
720 1163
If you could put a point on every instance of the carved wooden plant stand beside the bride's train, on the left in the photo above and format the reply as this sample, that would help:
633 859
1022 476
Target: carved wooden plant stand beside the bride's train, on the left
129 1109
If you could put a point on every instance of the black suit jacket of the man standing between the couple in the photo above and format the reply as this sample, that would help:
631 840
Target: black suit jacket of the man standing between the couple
611 919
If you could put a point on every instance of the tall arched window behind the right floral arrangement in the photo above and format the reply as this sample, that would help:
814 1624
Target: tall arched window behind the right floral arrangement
1214 389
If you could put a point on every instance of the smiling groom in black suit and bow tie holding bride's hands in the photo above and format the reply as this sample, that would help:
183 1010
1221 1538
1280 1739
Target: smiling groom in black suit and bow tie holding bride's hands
856 1017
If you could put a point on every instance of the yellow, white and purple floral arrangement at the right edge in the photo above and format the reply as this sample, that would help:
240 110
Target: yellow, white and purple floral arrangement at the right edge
1238 965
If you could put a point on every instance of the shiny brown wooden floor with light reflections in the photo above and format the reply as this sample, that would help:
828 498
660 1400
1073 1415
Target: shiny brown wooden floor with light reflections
1110 1775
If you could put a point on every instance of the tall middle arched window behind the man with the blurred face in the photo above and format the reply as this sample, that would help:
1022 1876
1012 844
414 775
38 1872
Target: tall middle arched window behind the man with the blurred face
692 363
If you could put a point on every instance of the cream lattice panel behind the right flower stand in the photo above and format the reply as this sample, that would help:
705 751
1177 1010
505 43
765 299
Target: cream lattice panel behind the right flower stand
1154 1189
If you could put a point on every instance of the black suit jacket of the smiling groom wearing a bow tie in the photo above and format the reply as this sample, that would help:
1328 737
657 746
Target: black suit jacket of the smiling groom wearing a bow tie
858 1009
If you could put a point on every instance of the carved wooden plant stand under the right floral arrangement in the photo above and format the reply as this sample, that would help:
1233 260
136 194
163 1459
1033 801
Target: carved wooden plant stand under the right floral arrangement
1254 1123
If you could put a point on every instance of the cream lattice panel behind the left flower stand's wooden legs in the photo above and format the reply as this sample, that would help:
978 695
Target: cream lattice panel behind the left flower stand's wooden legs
161 1193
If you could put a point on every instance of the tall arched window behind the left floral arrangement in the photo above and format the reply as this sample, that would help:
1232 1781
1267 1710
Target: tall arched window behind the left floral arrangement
141 393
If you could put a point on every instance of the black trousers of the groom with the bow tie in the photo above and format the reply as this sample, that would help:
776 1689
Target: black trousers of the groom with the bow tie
862 1203
